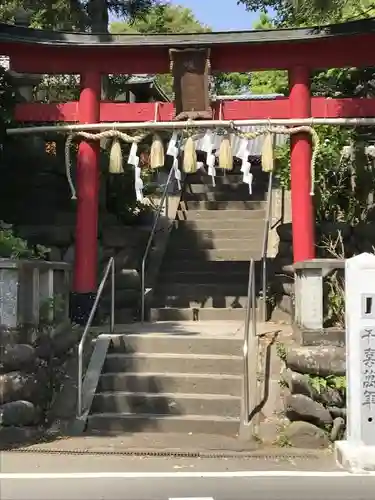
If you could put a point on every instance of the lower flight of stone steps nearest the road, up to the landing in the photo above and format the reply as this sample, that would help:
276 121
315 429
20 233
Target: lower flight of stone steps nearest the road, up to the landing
171 377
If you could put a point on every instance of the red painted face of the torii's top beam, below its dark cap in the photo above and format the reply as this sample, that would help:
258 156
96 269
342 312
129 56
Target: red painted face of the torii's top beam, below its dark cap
351 50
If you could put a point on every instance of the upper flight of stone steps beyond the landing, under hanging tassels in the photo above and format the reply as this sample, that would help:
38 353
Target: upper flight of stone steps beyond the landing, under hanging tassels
204 275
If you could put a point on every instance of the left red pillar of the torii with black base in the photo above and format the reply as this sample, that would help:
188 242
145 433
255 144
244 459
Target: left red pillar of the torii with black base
86 241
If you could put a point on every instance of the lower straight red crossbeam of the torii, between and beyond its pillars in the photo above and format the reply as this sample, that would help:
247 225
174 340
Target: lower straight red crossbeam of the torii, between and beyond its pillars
233 110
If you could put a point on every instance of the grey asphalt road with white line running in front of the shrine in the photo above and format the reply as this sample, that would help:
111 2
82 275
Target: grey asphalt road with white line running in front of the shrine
29 476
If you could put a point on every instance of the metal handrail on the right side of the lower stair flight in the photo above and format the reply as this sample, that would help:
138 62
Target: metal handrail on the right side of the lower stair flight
250 320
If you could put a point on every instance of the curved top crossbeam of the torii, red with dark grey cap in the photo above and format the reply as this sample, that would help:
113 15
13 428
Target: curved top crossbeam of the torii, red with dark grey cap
333 46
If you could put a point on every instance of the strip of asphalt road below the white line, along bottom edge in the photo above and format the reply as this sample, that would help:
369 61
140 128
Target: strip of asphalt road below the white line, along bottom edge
207 488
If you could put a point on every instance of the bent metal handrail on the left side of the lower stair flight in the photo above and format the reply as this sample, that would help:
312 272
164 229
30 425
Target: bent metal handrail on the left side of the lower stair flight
110 267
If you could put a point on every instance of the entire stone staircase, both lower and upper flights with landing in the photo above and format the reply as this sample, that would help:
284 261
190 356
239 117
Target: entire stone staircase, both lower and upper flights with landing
176 374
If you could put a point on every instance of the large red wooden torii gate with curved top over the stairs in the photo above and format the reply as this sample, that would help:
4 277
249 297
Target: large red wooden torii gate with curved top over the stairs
297 50
